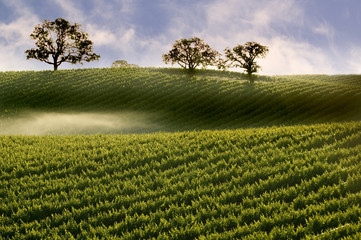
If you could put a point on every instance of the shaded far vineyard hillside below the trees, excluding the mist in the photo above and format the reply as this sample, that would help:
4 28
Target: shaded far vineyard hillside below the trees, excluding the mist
170 100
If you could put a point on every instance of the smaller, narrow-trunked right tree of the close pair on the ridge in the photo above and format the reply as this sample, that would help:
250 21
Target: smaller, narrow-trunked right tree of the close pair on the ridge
244 56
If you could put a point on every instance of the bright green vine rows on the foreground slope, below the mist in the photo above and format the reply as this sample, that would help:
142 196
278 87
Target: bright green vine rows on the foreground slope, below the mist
299 182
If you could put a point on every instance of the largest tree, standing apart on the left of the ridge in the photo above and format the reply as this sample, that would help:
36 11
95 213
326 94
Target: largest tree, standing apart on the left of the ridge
62 42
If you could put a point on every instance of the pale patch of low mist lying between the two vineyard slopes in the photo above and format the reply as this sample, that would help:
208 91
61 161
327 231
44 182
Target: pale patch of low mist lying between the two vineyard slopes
62 123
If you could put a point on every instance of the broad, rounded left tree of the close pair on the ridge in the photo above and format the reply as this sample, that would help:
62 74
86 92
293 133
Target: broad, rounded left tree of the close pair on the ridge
191 53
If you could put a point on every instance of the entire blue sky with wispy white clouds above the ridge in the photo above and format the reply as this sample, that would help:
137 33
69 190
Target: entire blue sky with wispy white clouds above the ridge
303 36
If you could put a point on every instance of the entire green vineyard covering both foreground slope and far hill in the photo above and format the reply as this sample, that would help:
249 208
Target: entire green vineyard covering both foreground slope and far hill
207 156
